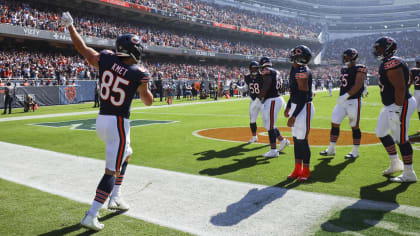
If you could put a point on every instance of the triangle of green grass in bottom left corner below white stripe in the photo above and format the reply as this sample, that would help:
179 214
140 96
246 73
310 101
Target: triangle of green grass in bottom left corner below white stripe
54 215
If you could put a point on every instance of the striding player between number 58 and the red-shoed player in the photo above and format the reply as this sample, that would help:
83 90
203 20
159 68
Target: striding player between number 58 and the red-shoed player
273 102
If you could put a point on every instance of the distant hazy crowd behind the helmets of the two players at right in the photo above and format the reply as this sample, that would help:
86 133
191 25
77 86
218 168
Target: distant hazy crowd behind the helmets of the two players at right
407 46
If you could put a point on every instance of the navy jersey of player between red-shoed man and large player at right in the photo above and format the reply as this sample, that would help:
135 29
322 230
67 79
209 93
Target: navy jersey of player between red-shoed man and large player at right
348 79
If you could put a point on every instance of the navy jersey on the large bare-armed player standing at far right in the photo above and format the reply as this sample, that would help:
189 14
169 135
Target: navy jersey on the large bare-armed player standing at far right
387 90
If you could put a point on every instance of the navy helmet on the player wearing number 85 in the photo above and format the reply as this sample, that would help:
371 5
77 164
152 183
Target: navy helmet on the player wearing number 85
129 45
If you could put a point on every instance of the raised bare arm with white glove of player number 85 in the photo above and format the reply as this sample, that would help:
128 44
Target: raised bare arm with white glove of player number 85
90 54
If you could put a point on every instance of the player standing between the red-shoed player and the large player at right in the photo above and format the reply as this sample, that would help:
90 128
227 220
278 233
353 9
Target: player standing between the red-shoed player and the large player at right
349 103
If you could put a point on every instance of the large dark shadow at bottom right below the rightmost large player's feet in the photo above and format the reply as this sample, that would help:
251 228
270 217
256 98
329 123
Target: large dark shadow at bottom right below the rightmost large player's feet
365 214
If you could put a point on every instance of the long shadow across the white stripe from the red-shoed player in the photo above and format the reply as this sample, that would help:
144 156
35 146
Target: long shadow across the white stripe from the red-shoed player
251 203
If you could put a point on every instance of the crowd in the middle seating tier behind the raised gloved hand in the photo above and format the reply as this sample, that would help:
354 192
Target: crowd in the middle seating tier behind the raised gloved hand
20 13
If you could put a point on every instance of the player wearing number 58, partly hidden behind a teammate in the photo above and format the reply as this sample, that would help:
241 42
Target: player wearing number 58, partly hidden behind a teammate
254 82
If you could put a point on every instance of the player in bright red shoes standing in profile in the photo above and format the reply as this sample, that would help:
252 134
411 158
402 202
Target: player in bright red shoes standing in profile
300 110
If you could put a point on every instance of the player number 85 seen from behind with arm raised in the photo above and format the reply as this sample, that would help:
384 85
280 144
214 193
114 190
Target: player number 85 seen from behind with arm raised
120 78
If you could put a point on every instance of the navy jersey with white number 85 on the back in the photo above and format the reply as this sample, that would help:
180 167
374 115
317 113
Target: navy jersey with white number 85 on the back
119 83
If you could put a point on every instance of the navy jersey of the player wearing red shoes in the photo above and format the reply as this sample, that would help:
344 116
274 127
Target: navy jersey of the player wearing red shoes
296 95
